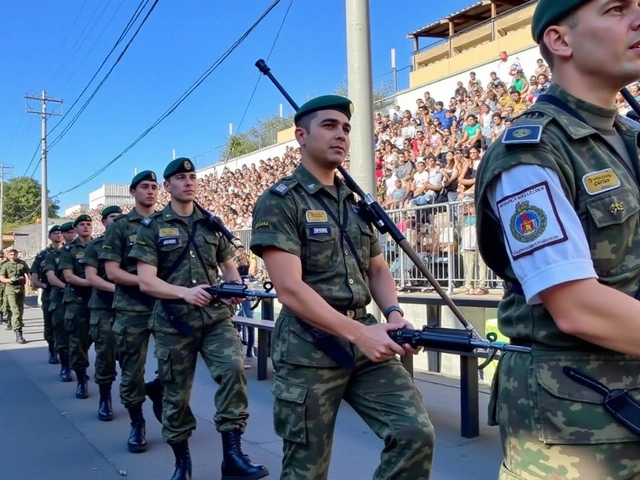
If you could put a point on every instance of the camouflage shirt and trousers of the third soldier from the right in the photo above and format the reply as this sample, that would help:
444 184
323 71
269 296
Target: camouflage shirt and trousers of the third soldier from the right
159 242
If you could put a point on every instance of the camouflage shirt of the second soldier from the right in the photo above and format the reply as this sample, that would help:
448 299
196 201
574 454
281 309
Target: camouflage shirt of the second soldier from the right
291 216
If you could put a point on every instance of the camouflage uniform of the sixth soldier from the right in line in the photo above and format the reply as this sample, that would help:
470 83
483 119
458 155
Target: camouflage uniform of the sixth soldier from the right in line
76 316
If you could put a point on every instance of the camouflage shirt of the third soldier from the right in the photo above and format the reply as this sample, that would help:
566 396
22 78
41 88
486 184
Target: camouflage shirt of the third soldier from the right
163 237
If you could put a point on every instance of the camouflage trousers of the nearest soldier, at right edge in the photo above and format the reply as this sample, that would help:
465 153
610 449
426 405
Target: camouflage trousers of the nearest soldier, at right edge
553 428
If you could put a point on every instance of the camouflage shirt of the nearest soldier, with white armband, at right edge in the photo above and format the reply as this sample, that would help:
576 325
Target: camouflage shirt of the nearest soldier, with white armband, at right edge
594 180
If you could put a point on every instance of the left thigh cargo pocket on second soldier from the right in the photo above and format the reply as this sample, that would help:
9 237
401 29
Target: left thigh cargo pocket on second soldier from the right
289 410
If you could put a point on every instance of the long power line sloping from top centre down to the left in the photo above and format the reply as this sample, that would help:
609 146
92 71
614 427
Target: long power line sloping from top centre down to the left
178 102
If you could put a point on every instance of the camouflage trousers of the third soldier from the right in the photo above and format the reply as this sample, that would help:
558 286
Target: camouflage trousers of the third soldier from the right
218 342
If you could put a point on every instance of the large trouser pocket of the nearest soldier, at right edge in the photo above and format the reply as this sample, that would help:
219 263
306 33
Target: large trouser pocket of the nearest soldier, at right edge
571 414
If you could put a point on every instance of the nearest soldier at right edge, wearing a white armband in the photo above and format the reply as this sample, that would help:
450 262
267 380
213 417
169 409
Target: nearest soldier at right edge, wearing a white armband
558 215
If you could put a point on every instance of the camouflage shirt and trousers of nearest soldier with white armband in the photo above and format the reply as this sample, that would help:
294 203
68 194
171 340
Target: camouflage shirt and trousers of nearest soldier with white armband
552 427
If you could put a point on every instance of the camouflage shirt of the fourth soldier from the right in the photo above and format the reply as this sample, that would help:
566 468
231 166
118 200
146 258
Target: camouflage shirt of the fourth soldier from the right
118 242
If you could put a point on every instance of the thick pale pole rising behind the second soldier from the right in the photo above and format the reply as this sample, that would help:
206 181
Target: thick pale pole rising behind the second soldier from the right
360 87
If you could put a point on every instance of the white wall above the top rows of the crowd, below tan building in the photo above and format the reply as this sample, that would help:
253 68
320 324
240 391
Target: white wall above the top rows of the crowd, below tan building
442 90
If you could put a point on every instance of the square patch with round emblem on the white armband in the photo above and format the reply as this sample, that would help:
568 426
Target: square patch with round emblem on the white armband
531 220
